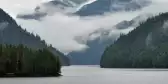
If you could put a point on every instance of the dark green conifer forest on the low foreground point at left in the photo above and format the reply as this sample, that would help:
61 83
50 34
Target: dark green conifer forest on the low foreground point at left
22 61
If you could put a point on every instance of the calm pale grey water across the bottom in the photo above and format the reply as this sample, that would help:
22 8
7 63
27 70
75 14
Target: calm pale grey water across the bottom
95 75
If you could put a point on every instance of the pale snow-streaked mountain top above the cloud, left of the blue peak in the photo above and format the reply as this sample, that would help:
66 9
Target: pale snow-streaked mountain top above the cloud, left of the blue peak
51 7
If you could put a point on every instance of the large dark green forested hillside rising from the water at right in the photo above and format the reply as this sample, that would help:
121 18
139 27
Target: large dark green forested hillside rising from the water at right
144 47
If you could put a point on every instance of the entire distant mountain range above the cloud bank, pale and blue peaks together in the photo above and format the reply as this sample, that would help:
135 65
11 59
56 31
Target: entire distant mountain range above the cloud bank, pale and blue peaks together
84 7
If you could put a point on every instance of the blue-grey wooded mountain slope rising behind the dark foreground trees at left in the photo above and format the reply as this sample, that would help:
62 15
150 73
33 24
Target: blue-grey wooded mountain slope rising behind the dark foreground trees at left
11 33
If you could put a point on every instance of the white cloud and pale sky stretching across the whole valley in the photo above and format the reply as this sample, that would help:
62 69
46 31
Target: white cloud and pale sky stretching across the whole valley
60 29
